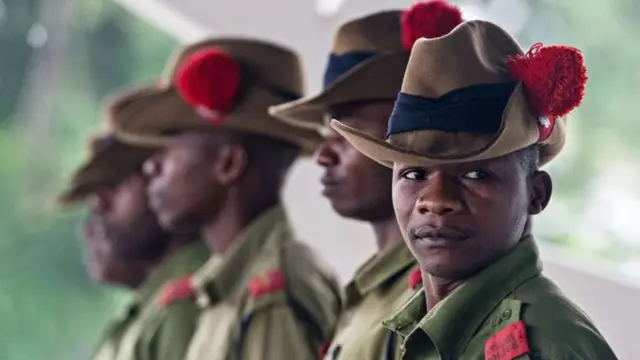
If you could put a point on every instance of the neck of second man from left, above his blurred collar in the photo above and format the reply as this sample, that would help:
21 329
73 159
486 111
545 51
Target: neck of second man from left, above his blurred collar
221 232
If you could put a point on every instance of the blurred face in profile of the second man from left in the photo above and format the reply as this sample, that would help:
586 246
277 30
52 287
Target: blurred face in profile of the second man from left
182 188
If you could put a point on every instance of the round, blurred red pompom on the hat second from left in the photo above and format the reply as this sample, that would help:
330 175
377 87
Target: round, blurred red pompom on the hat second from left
208 80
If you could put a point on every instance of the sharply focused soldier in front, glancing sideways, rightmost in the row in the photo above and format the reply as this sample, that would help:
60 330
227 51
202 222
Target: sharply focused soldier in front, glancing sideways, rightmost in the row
473 123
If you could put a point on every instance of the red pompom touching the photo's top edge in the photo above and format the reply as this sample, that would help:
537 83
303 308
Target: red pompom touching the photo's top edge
429 19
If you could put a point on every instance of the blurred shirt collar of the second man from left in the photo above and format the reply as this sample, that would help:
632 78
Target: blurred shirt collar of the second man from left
223 273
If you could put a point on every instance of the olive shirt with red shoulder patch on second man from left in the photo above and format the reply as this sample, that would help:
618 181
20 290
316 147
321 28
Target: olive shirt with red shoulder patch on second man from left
267 298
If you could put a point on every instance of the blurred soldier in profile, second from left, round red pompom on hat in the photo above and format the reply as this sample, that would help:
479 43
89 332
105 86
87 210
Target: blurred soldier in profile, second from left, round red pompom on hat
265 295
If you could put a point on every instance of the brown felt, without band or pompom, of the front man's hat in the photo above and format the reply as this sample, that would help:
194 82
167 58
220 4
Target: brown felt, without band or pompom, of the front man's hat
474 53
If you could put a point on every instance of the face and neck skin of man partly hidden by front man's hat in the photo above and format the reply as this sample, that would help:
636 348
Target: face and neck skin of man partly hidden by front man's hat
358 187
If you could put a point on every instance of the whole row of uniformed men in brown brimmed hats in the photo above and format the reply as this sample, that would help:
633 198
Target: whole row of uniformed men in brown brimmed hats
439 130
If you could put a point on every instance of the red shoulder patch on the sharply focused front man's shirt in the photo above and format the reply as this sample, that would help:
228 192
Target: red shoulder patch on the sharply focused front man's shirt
507 344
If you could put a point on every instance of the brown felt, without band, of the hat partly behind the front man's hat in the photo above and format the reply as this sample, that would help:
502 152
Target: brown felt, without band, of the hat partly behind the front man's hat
378 33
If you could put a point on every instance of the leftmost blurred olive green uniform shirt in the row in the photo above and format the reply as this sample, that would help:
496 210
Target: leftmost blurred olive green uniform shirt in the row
147 331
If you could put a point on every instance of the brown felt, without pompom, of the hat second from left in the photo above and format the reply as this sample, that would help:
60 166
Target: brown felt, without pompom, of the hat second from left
268 72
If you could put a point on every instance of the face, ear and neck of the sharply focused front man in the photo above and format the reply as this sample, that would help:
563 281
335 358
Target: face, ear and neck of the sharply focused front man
459 218
